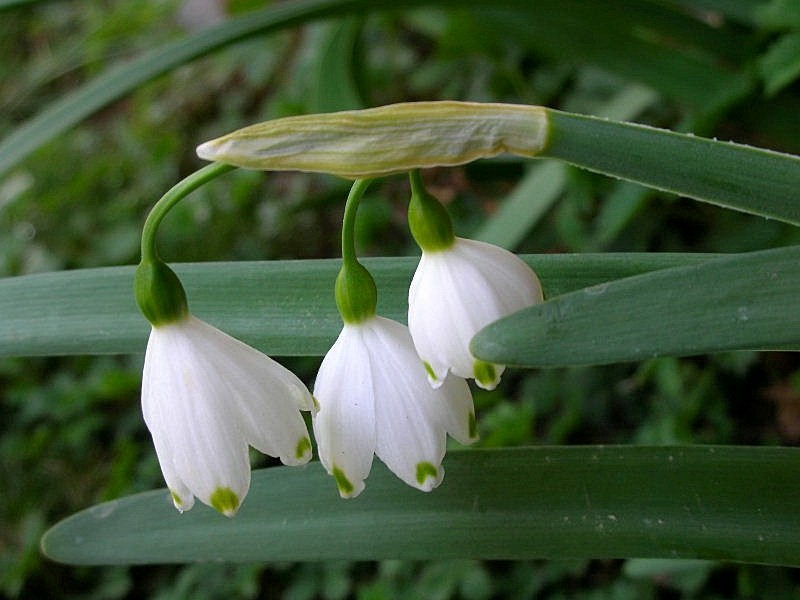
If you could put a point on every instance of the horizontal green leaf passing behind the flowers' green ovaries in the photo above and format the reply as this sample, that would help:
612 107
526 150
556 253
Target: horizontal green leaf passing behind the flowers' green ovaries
281 307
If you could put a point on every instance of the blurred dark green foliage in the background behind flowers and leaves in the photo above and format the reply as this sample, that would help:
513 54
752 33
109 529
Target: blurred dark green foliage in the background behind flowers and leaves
71 432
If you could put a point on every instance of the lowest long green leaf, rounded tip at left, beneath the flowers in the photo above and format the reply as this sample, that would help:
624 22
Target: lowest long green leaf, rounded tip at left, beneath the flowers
524 503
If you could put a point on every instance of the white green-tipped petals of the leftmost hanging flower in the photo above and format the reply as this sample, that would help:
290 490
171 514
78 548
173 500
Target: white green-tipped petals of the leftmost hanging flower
205 397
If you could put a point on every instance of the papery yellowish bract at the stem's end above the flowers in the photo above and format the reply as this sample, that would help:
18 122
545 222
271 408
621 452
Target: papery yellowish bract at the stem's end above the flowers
384 140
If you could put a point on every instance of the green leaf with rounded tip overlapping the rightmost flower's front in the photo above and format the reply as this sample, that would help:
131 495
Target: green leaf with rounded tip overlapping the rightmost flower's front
746 301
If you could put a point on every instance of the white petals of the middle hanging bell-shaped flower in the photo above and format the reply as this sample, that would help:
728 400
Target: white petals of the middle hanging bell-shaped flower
372 397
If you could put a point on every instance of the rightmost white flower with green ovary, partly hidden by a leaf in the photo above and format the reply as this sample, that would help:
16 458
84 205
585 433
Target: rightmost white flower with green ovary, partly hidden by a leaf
459 287
